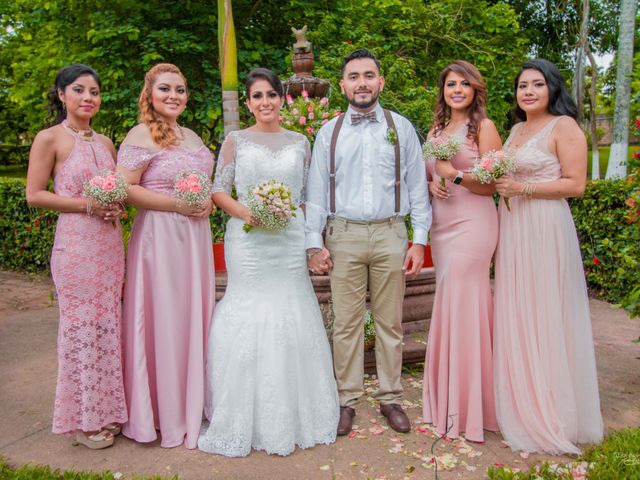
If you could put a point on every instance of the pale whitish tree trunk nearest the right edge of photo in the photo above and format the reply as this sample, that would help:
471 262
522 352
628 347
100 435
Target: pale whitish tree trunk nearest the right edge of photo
617 167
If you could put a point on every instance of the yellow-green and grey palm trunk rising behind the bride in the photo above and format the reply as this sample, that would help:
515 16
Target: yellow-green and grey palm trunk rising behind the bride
228 67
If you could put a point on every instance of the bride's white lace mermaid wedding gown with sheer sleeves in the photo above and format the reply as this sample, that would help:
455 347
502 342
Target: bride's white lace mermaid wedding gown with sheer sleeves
270 383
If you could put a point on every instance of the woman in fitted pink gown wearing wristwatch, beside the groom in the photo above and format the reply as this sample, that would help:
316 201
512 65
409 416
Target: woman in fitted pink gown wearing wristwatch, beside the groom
458 379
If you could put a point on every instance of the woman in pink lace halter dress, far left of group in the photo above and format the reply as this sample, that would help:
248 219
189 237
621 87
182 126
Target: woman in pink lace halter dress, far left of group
87 262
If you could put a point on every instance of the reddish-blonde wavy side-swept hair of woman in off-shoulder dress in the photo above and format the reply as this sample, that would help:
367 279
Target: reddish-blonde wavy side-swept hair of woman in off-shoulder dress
161 133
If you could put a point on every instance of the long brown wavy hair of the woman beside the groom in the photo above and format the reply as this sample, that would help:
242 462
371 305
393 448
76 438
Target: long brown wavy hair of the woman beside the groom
477 110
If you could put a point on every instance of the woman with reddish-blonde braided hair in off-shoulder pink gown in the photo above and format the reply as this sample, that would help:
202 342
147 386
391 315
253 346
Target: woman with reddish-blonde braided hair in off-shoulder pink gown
169 288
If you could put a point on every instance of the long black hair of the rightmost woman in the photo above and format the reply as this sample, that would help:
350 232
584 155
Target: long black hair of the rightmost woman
560 101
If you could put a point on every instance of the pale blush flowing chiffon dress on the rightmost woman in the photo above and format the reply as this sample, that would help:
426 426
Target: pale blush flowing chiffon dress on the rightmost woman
545 371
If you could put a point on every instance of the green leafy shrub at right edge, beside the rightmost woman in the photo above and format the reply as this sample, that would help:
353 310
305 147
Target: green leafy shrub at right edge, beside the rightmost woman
606 218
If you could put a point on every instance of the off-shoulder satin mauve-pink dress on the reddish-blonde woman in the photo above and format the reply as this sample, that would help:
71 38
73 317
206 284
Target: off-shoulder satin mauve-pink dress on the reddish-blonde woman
168 305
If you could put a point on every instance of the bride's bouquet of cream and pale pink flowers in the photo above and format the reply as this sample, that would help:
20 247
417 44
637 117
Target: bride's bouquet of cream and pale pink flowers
271 202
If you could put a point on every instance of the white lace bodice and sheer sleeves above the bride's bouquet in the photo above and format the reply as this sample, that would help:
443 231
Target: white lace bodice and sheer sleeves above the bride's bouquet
248 158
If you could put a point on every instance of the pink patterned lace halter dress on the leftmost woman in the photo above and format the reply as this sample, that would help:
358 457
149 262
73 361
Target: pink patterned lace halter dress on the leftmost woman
87 265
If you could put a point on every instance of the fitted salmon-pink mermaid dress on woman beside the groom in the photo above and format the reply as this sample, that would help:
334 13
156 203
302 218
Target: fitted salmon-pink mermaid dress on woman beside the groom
458 377
